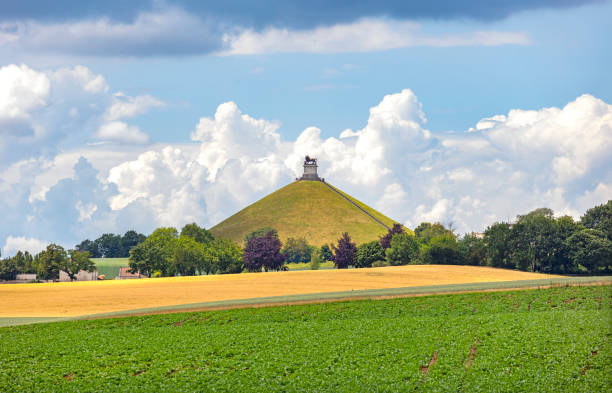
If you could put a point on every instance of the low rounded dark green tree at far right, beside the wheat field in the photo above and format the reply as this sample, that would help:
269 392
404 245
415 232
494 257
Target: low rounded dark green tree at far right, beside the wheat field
590 249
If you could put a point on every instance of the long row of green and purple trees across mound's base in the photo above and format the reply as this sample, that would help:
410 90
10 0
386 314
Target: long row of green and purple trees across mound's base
536 241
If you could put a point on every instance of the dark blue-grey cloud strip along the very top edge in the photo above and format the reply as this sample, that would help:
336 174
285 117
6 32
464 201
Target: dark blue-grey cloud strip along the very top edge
280 13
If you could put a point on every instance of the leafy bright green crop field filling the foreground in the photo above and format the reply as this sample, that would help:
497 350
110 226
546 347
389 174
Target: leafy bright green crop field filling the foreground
545 340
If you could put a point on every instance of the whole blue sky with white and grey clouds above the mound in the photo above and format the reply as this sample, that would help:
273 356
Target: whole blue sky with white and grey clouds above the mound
134 115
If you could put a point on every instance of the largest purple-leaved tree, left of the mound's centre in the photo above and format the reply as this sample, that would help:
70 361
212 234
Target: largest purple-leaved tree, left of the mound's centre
263 250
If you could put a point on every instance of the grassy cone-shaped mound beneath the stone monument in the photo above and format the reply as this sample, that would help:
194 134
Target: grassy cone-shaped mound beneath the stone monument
309 209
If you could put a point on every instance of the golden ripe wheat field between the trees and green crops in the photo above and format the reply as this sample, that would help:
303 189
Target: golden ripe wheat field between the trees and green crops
91 297
